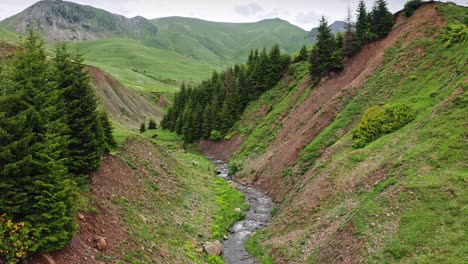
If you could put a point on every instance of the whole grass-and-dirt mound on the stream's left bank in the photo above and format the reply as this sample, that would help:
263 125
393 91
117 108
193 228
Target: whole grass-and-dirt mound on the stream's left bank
152 204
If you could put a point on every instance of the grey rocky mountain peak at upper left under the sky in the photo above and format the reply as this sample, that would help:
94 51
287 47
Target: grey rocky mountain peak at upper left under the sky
59 20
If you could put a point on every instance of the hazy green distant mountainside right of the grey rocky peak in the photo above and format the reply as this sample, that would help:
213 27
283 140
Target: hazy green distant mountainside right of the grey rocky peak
220 43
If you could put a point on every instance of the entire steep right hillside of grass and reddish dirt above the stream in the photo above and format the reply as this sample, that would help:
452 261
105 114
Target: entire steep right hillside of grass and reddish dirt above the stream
400 199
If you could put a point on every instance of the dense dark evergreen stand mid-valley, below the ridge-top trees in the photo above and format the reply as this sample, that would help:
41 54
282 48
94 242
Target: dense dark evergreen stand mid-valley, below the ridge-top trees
211 109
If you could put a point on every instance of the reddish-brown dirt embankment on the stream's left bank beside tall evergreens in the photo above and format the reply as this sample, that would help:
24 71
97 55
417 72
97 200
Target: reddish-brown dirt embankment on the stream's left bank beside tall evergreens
119 180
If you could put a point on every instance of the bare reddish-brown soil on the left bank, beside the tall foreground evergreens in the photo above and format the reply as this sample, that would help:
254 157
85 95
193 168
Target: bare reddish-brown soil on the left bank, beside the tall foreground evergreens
114 180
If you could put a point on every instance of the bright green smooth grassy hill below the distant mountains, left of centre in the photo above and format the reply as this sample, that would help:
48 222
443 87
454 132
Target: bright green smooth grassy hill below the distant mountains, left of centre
141 67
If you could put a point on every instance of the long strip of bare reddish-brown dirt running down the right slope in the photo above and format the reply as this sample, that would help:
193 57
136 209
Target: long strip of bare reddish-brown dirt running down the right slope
309 119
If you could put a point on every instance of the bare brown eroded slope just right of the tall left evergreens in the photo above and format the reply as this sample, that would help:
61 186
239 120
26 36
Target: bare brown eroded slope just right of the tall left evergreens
123 104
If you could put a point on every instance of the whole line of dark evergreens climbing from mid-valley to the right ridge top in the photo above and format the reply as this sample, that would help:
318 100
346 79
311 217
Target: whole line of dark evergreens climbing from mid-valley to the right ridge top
209 110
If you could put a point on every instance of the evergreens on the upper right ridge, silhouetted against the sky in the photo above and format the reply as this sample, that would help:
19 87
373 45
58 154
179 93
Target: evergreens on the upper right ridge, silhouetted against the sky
328 52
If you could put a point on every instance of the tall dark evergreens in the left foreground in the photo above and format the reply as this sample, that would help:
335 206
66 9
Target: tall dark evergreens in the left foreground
50 132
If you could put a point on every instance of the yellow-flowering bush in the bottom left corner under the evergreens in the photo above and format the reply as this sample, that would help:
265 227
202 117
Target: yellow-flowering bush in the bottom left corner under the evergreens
15 241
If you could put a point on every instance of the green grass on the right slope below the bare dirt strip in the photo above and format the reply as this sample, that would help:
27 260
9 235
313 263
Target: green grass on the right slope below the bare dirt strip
414 213
